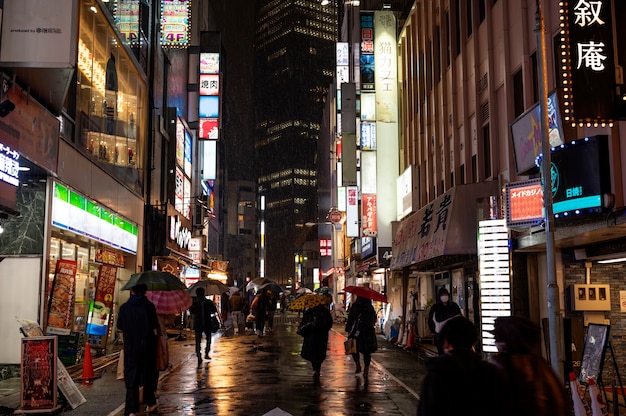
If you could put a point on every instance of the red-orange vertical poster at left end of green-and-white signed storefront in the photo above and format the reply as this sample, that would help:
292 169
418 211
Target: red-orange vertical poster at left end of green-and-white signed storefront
62 298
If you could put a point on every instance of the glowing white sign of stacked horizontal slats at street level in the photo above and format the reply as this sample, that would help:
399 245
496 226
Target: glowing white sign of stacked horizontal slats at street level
494 281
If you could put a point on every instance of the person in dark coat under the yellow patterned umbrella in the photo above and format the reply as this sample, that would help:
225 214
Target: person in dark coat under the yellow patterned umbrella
314 327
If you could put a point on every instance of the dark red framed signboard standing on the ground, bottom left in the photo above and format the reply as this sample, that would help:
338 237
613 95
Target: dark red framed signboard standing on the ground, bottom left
38 388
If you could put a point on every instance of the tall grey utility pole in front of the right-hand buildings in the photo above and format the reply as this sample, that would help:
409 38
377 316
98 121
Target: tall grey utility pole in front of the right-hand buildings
554 309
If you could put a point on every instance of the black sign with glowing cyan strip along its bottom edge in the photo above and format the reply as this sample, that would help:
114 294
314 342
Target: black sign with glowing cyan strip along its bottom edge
580 176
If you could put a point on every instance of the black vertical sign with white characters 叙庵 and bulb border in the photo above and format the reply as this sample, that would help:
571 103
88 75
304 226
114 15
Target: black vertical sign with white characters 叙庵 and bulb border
591 61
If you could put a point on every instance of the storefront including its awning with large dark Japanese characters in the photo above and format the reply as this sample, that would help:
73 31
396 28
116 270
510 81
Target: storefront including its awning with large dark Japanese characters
435 247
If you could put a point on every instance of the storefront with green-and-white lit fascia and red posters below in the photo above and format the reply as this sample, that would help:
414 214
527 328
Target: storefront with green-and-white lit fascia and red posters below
92 251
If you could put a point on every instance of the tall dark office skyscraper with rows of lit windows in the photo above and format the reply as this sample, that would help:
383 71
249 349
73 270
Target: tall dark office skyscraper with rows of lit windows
294 67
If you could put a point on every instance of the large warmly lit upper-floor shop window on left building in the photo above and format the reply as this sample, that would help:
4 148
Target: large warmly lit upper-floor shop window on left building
110 97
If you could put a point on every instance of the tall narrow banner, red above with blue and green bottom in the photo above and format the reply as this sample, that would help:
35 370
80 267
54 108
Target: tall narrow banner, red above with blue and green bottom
101 306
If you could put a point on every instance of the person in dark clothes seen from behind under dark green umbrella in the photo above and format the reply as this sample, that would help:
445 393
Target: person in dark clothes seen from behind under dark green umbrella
137 319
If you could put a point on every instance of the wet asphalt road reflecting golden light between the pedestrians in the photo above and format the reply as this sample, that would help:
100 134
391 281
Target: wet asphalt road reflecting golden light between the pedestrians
251 375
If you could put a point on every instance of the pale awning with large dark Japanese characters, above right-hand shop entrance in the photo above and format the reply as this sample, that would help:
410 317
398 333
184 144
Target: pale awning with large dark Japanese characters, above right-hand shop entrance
445 227
